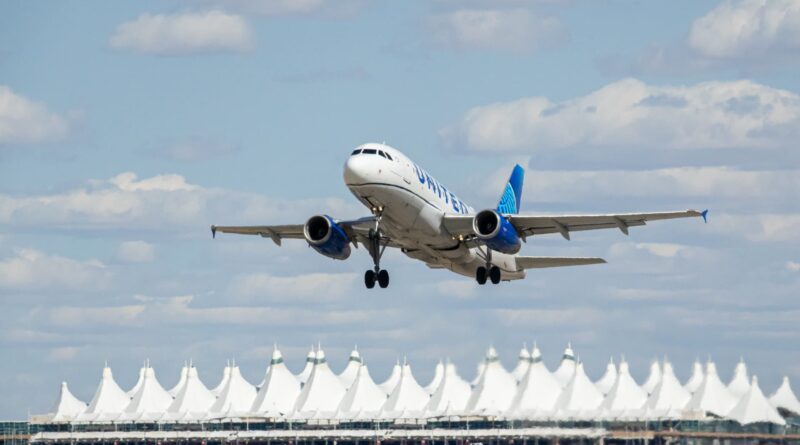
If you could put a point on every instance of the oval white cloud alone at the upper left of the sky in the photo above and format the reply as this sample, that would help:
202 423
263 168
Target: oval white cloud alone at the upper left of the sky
184 33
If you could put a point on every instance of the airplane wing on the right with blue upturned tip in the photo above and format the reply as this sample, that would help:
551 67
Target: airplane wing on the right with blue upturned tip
529 225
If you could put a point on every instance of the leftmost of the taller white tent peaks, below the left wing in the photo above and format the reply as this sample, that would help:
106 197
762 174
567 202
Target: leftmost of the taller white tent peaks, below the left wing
280 390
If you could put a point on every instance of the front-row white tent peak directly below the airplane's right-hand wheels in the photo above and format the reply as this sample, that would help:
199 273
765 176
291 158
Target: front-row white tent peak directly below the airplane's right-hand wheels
495 390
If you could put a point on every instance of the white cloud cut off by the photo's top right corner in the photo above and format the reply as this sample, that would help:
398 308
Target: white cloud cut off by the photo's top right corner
745 28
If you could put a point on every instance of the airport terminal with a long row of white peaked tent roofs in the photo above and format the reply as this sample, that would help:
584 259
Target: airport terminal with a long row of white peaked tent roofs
529 403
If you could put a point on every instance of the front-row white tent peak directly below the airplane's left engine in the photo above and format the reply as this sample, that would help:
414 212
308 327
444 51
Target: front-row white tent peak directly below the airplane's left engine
322 392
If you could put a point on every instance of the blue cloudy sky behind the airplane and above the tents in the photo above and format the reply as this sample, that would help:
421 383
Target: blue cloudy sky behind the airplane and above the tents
127 128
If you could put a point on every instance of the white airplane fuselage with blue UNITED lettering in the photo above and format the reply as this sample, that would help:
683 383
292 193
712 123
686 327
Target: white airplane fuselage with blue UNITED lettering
412 205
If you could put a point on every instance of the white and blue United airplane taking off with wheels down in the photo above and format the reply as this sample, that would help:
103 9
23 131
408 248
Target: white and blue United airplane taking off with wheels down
414 212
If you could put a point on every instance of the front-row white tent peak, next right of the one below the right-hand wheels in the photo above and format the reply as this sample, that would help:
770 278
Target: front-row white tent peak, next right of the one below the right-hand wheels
538 390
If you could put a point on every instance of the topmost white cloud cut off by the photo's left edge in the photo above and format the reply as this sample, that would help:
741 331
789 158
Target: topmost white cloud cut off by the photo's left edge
23 121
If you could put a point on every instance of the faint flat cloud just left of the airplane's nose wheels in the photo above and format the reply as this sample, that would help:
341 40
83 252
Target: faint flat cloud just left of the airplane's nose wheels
314 286
